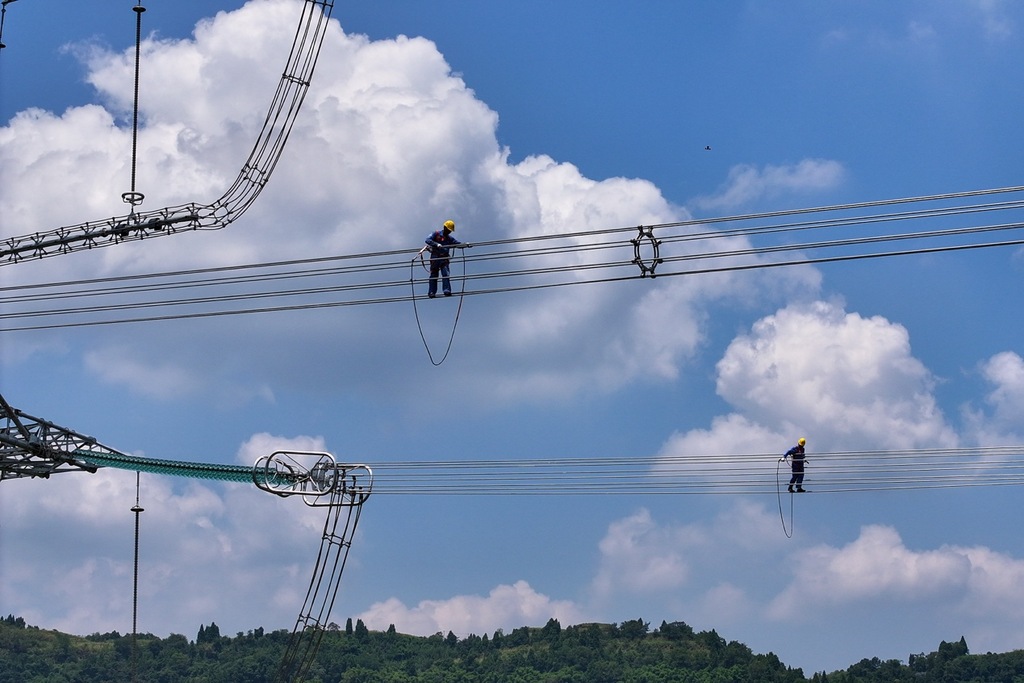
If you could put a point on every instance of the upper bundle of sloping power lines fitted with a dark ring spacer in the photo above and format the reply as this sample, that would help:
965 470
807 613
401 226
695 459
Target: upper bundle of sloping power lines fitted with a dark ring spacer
534 263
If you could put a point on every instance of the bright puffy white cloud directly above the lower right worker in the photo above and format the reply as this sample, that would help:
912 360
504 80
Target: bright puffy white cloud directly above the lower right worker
846 381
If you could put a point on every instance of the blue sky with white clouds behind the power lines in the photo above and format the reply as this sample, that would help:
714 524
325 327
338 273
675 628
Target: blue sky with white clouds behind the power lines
517 120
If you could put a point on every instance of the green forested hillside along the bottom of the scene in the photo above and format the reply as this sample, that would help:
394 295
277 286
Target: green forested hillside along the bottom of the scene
588 654
